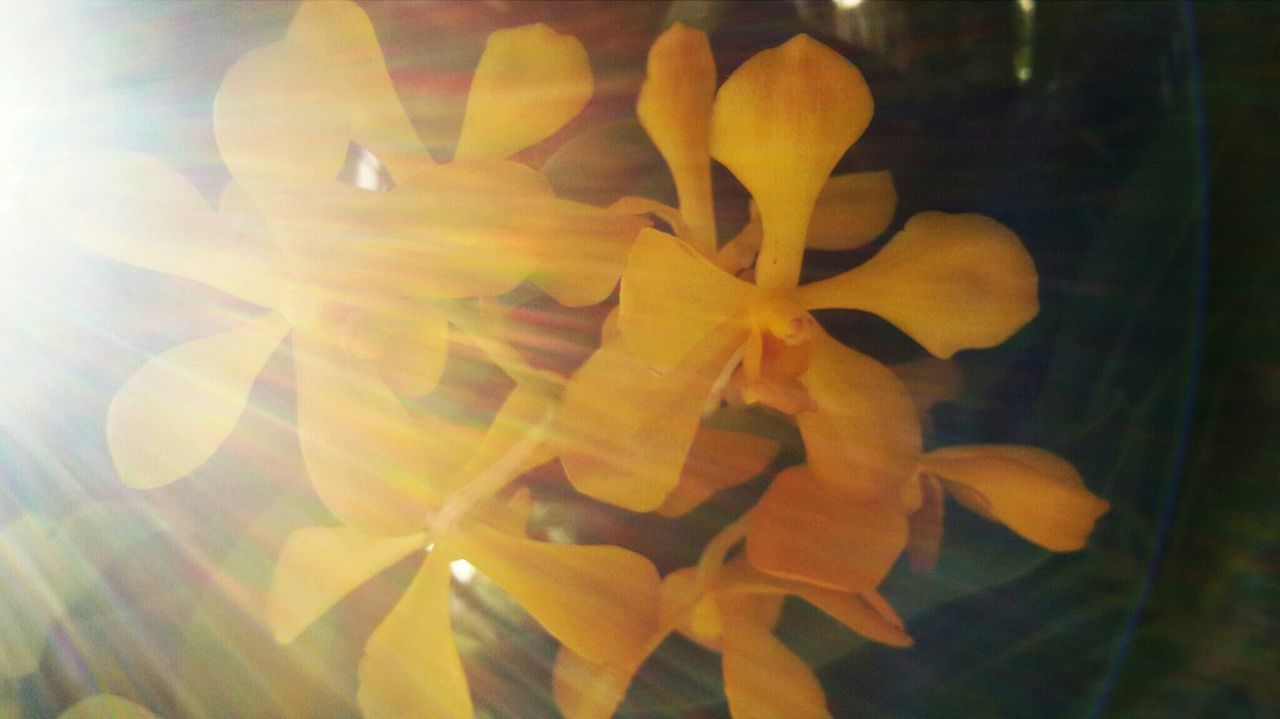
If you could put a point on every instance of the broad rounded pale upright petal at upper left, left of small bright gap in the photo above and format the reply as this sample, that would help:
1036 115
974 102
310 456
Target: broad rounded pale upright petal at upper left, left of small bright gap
282 120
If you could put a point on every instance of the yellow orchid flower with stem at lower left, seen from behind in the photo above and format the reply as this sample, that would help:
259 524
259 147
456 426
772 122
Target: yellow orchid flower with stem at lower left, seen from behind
600 601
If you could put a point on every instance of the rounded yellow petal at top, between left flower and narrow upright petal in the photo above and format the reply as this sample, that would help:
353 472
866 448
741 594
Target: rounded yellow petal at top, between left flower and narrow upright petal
531 83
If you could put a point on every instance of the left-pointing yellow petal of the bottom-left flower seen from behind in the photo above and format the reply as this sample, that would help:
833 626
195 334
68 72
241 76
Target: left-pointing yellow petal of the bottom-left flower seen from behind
319 566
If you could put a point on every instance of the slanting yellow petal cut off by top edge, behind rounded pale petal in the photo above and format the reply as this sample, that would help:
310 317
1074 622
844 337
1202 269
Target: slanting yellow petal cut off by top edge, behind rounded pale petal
342 35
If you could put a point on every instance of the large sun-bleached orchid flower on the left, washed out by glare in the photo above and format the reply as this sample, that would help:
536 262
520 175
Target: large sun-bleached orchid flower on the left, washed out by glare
339 268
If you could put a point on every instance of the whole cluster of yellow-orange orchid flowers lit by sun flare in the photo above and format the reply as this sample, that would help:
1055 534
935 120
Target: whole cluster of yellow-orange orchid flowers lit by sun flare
373 285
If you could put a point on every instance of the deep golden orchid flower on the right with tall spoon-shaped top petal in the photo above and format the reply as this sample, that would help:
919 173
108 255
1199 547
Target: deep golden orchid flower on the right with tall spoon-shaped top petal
780 123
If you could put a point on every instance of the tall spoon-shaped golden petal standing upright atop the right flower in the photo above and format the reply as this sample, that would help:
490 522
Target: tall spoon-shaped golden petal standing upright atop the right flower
781 122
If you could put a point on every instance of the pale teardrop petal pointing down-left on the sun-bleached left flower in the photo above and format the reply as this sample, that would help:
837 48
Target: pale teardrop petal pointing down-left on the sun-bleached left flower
182 405
